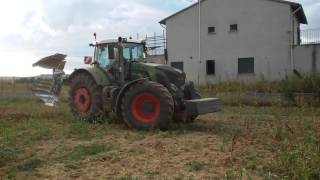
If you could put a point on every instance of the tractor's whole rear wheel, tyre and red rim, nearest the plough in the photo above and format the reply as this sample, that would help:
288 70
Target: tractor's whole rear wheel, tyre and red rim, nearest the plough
85 98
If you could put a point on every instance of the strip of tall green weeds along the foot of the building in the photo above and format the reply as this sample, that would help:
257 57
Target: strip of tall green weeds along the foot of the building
297 90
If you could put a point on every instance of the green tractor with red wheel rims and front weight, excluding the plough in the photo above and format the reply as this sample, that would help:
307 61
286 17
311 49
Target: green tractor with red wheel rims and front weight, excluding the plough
144 95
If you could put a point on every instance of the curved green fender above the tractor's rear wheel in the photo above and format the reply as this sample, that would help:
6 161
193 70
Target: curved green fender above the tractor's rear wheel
99 76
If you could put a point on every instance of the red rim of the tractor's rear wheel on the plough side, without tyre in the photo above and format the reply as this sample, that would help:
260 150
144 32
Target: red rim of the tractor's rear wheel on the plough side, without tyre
82 99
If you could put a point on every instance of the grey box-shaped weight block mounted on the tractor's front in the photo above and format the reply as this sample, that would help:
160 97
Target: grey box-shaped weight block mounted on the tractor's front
202 106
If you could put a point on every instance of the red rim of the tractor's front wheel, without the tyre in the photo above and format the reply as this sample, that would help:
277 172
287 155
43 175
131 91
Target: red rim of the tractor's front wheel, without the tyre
146 107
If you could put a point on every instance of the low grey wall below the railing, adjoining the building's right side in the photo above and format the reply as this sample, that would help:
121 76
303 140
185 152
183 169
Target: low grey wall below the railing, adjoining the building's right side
307 58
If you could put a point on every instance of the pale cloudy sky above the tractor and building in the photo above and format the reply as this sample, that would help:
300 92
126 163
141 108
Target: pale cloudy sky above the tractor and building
31 29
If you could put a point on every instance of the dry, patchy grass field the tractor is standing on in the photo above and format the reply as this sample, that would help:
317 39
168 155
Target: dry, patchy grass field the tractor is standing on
245 142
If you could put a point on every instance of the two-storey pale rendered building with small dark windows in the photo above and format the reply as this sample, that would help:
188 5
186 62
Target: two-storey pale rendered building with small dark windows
240 39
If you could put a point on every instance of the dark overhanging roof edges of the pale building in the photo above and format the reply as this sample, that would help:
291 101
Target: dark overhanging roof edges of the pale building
294 6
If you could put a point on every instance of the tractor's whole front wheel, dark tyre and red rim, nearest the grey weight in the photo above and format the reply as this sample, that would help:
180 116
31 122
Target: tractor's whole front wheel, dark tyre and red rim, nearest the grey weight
147 105
